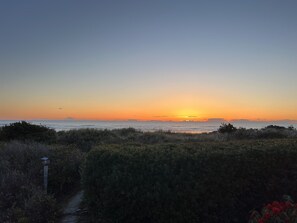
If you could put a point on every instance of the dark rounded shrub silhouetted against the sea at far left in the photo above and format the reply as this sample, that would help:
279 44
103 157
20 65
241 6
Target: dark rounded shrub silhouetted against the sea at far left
26 131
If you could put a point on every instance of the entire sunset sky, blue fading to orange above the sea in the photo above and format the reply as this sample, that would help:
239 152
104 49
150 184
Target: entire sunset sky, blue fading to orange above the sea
148 59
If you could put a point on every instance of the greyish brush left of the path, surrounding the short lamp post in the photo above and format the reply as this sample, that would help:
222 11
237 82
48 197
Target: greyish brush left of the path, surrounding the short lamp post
22 198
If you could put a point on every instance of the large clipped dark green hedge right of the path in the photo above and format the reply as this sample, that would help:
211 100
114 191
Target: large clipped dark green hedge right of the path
201 182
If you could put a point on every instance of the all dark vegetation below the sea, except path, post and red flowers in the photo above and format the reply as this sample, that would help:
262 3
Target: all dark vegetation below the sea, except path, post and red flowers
134 176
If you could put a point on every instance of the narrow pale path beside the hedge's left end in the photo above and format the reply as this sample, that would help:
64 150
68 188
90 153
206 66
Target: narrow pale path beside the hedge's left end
70 211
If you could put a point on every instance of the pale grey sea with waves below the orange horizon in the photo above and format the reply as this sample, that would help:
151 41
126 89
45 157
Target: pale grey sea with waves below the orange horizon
148 126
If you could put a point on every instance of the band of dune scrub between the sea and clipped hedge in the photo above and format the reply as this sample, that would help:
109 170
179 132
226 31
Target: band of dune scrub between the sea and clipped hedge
86 139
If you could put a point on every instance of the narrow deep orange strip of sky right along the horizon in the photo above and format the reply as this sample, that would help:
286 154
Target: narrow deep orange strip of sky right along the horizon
180 115
